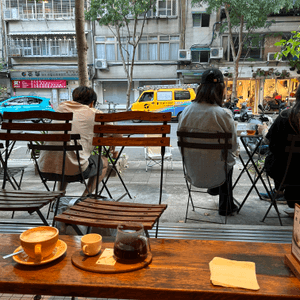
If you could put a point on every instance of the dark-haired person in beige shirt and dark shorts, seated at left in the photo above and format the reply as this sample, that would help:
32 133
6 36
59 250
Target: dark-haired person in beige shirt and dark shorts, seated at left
82 107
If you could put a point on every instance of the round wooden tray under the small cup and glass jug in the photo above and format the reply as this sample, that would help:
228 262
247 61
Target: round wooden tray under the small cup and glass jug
88 263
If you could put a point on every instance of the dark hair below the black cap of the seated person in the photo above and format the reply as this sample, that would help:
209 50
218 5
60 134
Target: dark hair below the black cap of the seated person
210 93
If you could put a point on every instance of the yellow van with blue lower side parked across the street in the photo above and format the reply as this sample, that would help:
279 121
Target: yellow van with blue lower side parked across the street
158 99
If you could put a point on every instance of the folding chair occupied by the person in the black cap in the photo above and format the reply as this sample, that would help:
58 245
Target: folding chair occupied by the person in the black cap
203 141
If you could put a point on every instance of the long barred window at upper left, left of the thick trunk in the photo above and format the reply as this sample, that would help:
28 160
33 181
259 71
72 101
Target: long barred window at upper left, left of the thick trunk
42 46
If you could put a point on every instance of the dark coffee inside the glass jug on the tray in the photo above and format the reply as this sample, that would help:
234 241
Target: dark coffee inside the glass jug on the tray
136 250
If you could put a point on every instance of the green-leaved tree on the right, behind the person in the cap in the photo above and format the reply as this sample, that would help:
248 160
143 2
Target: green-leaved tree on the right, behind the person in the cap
243 18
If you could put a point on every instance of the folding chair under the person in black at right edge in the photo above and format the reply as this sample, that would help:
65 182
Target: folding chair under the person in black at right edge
292 151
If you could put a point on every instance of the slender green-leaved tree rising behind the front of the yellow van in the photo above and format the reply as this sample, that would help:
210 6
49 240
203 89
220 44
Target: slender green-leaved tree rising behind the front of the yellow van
126 20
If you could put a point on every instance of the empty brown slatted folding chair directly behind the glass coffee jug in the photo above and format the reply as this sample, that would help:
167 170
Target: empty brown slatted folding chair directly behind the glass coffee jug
93 212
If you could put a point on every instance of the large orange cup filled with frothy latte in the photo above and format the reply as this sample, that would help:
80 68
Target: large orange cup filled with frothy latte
39 242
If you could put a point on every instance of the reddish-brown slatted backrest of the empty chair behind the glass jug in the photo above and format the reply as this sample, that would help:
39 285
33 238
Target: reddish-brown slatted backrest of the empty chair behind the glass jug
125 132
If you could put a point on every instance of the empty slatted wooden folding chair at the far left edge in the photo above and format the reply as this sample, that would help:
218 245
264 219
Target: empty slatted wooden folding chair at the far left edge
19 129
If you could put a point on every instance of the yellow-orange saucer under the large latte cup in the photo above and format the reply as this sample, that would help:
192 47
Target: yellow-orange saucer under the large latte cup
24 259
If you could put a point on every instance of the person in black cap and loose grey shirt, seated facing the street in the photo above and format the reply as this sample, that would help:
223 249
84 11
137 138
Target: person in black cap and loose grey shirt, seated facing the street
205 114
